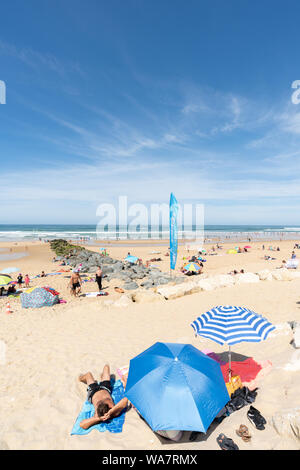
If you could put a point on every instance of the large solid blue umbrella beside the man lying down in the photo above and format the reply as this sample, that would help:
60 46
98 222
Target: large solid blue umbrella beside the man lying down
176 387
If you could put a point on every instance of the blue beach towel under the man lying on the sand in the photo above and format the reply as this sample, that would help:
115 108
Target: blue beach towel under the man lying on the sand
114 425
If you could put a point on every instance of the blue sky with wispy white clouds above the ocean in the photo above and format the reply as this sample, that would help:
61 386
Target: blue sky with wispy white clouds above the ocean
141 98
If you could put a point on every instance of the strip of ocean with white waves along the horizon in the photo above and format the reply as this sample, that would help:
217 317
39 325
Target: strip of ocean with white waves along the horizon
90 233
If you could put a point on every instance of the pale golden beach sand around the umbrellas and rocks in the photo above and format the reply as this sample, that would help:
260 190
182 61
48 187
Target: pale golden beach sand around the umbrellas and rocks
46 350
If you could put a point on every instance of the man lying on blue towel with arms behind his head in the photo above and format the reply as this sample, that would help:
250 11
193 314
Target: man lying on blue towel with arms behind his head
100 396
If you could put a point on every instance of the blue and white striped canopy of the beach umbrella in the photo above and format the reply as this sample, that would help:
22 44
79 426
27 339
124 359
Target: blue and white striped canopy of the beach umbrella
231 325
